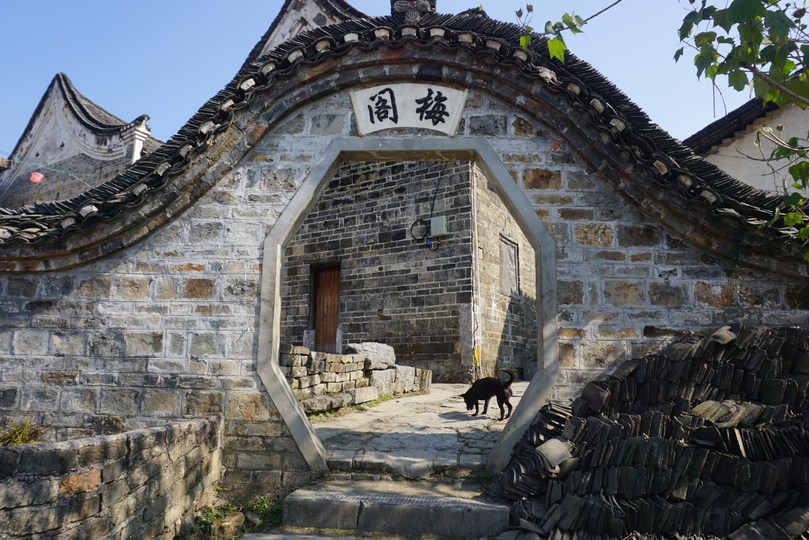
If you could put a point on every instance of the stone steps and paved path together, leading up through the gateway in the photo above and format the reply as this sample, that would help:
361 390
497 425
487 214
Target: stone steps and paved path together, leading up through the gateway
407 467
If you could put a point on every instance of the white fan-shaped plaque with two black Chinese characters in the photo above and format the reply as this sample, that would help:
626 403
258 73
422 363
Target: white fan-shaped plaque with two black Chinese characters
408 105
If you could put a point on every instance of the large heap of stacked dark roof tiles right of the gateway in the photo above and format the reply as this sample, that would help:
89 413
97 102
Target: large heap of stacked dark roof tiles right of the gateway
706 439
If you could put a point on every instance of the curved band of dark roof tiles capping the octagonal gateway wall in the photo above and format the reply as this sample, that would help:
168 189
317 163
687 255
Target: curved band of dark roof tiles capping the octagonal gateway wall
695 183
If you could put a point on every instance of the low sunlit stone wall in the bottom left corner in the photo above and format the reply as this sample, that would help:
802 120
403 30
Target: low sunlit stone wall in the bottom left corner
143 484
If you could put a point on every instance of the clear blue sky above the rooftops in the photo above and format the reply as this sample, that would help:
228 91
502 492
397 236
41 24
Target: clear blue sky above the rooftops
166 58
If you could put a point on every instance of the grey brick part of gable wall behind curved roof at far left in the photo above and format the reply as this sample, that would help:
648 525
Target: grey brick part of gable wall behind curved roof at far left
58 185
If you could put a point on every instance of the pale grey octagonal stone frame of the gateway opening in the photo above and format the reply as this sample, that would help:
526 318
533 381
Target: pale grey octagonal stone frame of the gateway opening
367 149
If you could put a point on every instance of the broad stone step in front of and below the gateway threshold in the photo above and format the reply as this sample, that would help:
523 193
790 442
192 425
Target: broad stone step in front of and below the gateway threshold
411 508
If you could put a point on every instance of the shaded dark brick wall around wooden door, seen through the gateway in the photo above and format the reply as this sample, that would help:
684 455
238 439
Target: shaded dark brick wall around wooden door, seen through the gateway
394 289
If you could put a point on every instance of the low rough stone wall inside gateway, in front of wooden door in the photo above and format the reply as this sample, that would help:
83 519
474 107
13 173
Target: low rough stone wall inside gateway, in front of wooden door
323 381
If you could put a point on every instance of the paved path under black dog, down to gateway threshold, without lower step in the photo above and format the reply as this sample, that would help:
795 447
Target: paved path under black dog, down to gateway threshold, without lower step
415 436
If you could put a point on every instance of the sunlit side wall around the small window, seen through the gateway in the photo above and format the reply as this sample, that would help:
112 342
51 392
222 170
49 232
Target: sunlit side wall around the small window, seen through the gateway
508 322
